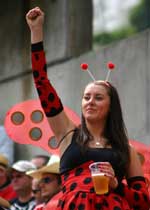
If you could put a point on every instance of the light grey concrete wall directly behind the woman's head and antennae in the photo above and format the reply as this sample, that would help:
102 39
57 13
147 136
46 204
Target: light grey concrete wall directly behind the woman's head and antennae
131 77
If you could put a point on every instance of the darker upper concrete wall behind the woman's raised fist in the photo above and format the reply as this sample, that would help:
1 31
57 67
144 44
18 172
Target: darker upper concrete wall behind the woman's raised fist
65 35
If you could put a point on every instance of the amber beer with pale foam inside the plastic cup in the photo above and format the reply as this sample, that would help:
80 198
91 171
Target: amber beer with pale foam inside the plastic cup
100 182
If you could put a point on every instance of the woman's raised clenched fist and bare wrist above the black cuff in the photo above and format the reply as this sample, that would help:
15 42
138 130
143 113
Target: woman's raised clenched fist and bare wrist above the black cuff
35 20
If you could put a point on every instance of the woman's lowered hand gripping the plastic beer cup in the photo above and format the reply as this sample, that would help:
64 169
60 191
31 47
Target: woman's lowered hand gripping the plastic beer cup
107 169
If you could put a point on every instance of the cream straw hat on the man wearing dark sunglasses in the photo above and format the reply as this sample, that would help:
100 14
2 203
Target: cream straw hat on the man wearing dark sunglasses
51 167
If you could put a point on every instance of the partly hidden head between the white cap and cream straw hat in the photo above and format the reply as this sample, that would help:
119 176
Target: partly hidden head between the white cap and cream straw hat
40 160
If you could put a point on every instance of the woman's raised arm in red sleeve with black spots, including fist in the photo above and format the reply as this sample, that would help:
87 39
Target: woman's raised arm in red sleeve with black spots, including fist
50 101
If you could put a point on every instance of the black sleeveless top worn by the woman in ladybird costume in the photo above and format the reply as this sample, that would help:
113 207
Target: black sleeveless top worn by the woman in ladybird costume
74 156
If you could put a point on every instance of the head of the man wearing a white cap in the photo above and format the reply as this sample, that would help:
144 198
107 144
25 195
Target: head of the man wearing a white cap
22 183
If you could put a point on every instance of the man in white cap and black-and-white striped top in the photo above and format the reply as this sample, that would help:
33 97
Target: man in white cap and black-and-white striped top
22 184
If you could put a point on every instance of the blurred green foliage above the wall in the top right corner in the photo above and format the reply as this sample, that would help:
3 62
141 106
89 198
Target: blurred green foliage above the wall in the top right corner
139 18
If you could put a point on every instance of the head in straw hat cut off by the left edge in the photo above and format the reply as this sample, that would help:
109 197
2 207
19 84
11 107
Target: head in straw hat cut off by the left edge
4 164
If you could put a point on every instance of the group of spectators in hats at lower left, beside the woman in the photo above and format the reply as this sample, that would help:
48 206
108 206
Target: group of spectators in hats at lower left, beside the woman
29 184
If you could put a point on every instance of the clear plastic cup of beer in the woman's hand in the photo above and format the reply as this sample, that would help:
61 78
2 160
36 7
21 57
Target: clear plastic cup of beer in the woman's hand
100 181
